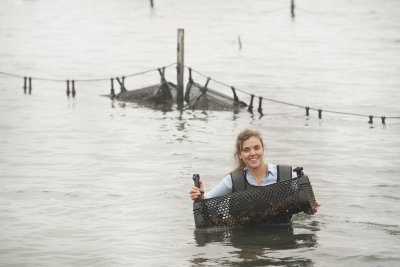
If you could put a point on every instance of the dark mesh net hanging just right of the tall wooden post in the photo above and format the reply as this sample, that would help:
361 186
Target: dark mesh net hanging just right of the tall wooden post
203 98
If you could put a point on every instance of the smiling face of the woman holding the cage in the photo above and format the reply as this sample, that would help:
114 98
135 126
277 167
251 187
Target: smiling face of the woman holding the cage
252 153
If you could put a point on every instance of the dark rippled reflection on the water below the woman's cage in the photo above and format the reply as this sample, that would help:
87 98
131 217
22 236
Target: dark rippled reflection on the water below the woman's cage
257 244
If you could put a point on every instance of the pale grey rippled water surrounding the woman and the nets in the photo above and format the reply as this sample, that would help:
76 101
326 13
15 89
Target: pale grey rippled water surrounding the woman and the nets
88 181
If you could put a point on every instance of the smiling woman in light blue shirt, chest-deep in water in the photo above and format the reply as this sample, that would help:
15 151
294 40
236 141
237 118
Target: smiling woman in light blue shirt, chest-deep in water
249 159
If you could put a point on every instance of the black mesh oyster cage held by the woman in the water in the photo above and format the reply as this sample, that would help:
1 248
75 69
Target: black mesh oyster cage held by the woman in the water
255 206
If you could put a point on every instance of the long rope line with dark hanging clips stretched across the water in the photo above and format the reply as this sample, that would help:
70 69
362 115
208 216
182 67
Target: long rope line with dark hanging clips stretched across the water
70 84
